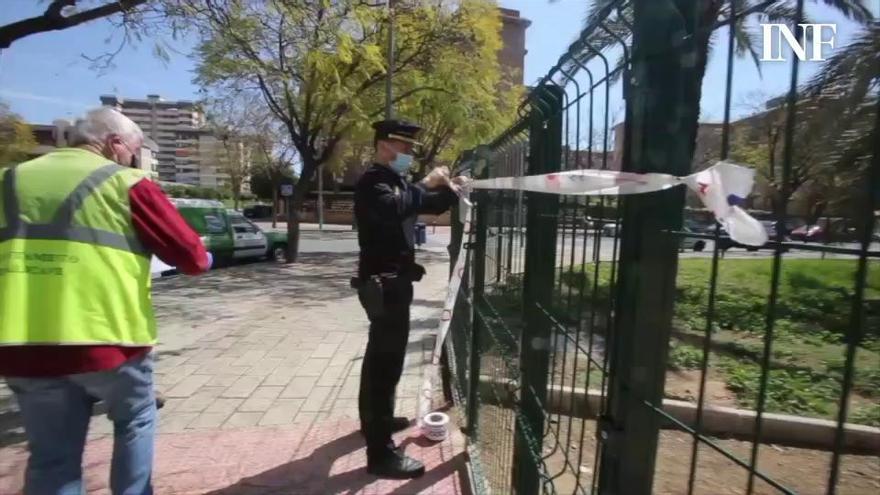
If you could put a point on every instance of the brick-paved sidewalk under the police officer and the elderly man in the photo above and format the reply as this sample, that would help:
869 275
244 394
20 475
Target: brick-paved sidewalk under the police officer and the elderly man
260 364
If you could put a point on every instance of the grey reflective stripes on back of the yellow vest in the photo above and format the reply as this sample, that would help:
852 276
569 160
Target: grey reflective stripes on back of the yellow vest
61 228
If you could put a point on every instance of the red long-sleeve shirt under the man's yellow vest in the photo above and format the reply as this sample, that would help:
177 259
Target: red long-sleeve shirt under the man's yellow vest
164 233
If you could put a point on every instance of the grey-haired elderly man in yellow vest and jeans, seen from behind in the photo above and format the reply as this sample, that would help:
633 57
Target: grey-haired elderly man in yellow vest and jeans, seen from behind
77 229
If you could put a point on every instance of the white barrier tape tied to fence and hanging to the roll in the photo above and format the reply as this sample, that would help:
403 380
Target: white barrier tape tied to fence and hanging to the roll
722 188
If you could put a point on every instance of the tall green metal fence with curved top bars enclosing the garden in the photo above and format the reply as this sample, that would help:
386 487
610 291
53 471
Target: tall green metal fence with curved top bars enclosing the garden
576 313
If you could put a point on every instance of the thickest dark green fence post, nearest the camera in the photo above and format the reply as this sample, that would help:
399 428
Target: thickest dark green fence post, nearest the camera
660 129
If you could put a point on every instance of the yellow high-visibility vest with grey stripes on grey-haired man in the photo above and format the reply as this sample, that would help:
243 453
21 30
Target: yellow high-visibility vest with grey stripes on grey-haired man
72 271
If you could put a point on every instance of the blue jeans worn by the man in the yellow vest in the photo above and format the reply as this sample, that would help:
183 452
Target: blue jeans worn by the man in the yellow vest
56 414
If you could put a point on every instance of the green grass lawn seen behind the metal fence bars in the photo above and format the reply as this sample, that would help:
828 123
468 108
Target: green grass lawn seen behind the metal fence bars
811 321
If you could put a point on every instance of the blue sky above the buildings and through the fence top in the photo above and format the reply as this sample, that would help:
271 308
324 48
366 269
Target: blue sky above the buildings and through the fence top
45 76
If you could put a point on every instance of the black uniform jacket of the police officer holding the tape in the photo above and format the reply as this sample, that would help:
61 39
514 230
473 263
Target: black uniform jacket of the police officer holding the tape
386 207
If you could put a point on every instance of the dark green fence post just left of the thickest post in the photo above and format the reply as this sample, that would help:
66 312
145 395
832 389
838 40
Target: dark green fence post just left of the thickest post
545 153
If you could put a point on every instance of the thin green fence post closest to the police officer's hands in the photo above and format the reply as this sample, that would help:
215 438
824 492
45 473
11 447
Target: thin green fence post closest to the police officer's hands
479 227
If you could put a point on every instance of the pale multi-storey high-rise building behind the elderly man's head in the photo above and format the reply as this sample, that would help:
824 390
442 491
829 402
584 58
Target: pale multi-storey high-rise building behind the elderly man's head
187 151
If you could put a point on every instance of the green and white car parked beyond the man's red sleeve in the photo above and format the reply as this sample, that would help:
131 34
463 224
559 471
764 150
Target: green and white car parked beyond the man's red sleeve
227 234
